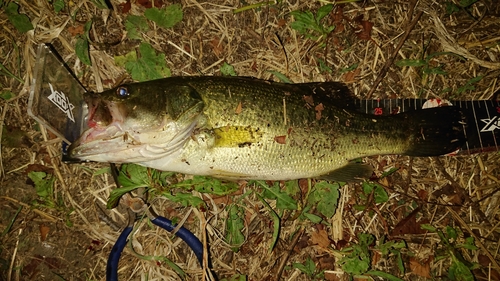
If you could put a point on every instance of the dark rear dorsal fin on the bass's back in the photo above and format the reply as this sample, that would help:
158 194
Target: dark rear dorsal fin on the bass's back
329 92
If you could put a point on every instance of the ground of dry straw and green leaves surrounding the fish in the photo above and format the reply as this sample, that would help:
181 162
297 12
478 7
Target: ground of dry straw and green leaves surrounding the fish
418 219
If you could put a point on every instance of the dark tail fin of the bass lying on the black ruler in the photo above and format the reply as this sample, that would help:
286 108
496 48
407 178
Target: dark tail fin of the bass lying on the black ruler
435 131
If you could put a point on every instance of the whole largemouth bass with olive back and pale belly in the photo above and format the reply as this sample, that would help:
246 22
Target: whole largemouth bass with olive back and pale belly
245 128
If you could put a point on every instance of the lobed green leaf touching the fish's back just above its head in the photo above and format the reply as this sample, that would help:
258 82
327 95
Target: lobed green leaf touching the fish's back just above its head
148 66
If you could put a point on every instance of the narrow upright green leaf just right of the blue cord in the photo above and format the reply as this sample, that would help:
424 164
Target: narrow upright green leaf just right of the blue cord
234 226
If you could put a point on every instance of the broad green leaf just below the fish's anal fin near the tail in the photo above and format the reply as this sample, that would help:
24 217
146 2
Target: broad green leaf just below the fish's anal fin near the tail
325 196
